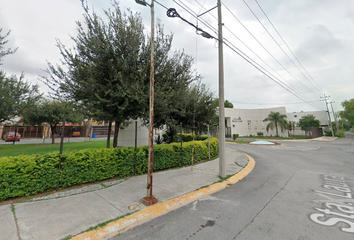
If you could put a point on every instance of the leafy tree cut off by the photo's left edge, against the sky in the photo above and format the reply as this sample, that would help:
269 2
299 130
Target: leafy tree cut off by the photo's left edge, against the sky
16 94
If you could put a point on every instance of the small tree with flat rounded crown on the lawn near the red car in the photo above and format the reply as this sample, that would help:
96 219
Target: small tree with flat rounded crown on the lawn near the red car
52 112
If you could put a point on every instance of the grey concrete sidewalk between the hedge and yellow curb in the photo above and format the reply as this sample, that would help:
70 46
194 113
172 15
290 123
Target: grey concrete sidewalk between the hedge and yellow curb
58 218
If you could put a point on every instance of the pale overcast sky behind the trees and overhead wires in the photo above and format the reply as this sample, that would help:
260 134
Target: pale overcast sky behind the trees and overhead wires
319 32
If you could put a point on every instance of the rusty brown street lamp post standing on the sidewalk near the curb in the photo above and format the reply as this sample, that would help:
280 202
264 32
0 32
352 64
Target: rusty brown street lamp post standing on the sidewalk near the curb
150 199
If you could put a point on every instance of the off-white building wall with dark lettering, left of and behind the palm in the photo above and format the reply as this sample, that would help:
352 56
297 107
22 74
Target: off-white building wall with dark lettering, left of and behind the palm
250 121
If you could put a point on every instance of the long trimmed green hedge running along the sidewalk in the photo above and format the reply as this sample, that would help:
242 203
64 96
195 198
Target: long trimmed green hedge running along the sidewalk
26 175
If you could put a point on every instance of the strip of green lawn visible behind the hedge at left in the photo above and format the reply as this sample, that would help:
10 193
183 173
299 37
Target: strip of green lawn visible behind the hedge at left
26 149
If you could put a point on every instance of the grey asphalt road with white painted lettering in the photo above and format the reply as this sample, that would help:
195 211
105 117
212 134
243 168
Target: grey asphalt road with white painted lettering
298 190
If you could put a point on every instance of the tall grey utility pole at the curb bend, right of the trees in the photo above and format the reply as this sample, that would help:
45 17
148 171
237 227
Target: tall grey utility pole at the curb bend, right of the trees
222 169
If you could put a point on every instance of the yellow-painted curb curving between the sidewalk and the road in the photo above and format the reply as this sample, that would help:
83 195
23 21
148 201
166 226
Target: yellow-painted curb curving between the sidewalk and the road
126 223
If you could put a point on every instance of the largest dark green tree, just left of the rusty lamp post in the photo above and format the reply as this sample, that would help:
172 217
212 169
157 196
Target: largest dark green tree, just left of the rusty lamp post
103 71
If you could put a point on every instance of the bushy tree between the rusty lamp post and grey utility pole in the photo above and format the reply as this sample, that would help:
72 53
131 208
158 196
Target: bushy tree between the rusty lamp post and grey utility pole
180 97
